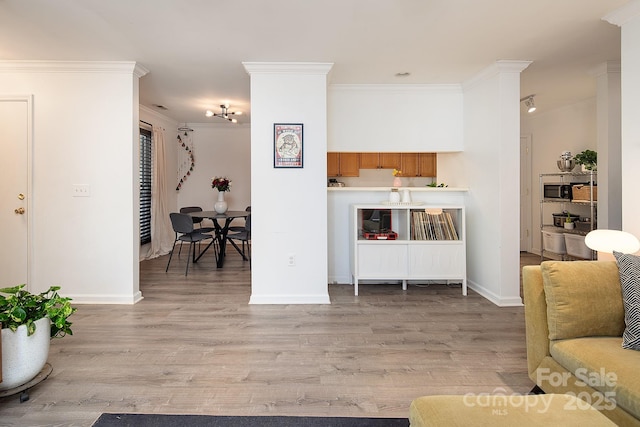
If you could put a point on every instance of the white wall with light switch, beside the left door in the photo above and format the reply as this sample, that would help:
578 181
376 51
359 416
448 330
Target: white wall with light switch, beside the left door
84 132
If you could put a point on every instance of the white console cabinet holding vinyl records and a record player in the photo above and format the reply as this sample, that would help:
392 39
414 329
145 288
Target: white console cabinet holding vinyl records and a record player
430 243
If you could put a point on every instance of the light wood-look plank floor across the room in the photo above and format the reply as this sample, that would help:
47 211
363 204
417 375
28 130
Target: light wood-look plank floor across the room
194 345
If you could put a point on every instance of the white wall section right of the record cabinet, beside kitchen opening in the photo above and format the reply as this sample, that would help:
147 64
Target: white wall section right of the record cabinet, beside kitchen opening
491 164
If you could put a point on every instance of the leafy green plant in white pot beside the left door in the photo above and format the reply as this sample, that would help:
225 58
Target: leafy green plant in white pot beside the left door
29 322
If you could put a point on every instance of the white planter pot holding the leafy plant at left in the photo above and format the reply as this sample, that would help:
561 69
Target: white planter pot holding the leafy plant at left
23 357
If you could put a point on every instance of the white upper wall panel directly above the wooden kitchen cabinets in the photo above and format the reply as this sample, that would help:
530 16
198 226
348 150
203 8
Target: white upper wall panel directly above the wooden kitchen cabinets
409 118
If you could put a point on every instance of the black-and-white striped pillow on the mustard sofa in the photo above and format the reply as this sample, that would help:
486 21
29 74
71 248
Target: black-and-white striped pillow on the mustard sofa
629 269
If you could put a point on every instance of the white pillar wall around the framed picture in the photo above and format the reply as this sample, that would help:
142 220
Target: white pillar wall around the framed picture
289 206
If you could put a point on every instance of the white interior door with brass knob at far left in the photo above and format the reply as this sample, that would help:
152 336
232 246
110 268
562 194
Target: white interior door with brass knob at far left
15 140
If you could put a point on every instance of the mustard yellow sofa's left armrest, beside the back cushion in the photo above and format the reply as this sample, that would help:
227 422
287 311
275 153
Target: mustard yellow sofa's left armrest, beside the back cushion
535 312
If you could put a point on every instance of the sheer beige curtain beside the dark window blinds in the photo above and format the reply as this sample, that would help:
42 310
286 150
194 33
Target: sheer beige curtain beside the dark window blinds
162 234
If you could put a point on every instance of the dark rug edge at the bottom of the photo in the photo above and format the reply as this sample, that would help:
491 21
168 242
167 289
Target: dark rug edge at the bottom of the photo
160 420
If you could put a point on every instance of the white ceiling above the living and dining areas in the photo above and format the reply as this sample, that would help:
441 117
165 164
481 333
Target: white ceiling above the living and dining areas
194 49
